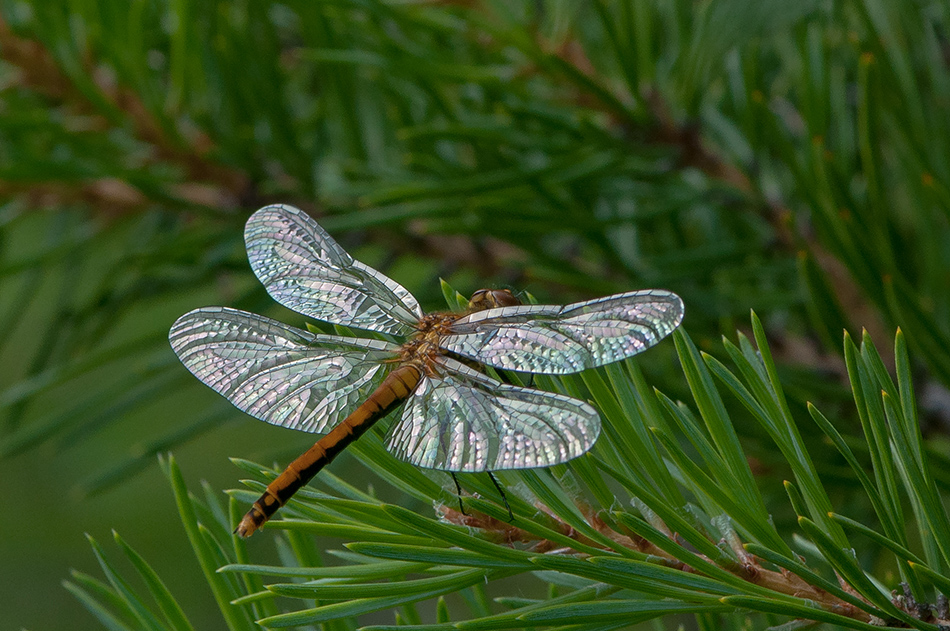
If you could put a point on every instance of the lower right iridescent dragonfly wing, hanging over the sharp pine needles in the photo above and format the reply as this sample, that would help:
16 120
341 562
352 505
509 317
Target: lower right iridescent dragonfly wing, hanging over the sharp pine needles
466 421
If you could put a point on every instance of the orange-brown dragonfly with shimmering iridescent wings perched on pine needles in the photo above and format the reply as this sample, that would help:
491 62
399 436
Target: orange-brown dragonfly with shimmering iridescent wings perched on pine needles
454 417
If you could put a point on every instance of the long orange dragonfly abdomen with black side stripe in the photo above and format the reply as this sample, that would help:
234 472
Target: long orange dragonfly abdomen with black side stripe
395 389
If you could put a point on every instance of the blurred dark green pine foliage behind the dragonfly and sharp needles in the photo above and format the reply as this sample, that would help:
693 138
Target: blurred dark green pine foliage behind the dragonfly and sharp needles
790 157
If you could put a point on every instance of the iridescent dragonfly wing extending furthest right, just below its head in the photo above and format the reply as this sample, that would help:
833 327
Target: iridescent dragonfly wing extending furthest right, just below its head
552 339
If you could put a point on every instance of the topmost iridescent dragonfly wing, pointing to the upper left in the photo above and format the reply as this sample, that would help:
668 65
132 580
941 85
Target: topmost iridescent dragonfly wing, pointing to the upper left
304 269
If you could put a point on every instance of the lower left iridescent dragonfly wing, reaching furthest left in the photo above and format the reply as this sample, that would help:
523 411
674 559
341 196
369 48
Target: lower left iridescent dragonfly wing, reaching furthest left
278 373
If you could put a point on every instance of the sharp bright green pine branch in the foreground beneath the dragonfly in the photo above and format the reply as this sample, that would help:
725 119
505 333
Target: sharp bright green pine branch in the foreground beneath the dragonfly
704 553
